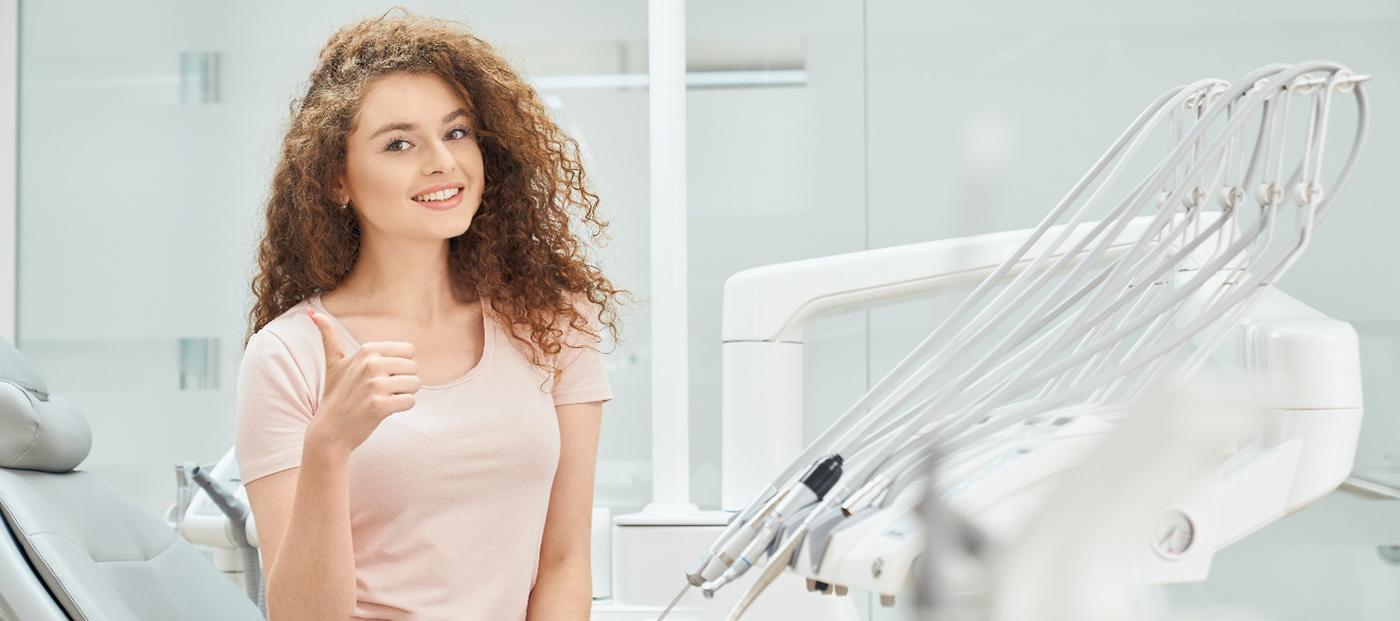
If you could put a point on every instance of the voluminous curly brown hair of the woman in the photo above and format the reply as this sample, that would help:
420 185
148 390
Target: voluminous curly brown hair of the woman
519 252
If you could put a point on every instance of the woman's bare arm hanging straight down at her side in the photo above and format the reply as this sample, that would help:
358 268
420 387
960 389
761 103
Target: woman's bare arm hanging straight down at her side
563 588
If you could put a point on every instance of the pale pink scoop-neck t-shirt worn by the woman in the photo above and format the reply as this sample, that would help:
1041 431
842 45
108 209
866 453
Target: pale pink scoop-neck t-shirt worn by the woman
449 499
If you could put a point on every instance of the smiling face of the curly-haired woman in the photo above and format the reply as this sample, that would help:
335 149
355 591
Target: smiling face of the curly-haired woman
414 136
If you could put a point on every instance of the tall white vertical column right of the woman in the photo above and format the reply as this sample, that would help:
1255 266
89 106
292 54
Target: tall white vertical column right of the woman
670 397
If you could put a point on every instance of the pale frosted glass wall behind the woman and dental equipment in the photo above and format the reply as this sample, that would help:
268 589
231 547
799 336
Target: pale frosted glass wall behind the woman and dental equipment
149 131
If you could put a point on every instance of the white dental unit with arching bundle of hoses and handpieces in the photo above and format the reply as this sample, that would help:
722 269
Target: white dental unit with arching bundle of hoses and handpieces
1079 320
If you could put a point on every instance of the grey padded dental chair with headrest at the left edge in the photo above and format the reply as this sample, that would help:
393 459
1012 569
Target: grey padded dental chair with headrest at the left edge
75 549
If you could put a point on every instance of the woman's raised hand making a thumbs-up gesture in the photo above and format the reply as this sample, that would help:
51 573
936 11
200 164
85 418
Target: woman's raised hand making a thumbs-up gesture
362 390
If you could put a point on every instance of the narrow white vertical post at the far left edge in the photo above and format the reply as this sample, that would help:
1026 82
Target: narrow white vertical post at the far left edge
9 166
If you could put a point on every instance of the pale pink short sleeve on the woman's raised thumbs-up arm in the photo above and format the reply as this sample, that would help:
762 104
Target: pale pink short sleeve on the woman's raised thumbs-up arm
272 409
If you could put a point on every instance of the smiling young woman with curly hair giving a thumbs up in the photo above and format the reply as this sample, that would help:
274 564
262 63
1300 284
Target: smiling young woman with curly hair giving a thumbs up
422 387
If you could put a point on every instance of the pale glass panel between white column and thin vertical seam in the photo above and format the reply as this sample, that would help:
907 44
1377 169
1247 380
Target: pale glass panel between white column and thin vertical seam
776 174
